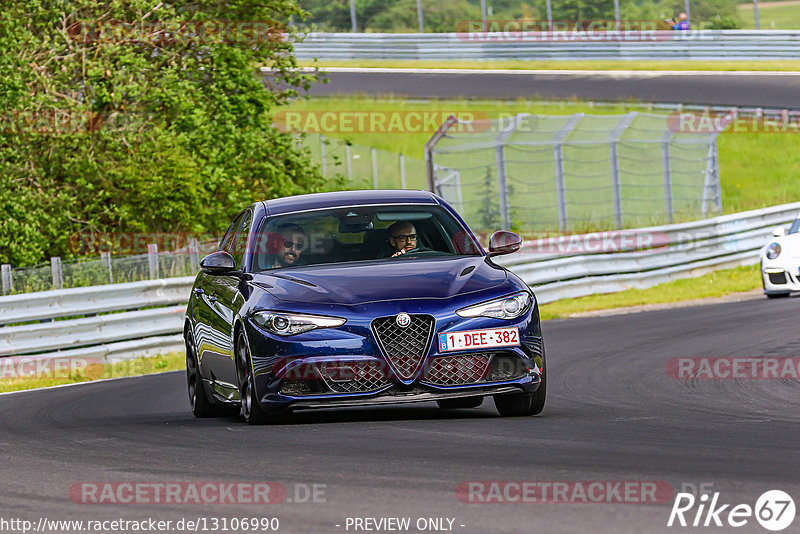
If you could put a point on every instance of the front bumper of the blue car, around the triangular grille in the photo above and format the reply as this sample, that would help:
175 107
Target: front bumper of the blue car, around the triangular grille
315 370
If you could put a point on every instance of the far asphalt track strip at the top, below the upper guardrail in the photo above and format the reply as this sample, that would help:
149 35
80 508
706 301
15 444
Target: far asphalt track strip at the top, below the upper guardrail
777 90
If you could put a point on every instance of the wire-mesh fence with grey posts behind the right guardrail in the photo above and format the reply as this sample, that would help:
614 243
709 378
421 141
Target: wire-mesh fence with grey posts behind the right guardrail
576 172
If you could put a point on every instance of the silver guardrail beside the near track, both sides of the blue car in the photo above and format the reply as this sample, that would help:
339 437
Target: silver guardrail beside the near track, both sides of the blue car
673 251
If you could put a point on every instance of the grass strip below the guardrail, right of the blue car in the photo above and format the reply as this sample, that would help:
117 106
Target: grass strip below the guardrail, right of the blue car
716 284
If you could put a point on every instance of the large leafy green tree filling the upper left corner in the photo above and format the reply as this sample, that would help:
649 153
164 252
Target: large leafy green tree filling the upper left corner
138 116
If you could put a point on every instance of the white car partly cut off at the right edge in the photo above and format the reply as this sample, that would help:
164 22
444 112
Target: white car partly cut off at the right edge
780 262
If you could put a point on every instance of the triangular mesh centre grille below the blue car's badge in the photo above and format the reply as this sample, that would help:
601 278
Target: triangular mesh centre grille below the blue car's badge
404 348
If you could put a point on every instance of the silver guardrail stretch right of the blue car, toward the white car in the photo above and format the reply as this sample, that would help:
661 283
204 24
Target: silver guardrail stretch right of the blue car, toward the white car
678 251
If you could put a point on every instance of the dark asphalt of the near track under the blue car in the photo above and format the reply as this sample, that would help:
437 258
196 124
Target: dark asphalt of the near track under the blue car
613 414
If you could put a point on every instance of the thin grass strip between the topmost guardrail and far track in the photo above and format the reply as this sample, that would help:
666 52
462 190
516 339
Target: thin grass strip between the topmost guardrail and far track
724 64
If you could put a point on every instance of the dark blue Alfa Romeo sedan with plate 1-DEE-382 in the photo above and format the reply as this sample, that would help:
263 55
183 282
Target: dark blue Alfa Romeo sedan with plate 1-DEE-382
359 298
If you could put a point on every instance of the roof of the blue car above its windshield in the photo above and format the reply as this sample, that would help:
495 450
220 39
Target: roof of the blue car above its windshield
338 199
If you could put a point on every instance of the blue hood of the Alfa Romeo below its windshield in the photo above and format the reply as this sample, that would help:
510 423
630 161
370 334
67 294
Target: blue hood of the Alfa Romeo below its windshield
363 282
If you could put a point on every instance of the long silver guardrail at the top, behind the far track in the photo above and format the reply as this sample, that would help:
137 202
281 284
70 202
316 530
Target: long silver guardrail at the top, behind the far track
705 45
